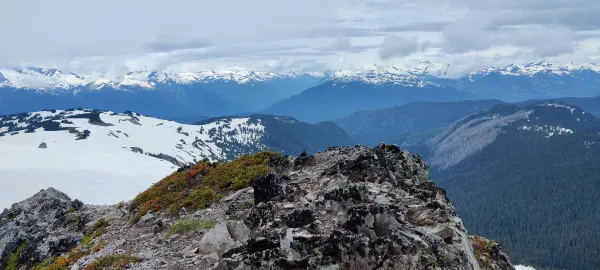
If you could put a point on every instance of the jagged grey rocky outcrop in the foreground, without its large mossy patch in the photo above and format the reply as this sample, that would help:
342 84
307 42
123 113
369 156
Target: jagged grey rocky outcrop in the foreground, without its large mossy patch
344 208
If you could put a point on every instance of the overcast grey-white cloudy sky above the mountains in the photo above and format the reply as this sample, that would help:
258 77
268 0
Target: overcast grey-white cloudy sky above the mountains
302 35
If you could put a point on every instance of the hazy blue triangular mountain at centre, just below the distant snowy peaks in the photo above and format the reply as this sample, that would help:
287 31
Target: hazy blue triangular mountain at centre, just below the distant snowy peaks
335 99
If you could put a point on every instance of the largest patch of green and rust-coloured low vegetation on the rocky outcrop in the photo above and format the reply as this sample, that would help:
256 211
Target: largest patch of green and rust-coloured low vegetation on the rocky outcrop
201 185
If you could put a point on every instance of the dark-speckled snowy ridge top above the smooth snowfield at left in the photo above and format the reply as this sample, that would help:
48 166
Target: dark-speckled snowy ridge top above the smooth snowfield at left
180 144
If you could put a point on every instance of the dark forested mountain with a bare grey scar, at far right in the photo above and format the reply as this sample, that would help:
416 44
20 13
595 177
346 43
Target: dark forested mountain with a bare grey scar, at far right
526 176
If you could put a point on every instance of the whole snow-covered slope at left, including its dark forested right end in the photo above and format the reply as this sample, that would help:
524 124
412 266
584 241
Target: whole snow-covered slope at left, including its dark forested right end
83 151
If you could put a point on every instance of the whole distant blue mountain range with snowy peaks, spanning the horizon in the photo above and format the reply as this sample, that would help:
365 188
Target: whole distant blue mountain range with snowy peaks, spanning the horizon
335 94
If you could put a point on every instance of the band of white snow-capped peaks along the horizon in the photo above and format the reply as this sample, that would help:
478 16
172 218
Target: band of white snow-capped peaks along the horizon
413 74
